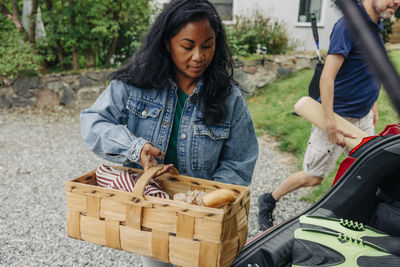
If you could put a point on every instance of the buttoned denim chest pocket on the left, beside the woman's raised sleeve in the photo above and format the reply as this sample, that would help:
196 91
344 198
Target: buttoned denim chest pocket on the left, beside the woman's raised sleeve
143 117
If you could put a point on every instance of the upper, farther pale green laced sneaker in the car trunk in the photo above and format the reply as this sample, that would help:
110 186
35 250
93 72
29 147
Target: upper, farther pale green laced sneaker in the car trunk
353 229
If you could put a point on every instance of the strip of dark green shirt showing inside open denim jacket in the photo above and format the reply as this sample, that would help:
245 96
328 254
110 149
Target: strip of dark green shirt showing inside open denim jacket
171 156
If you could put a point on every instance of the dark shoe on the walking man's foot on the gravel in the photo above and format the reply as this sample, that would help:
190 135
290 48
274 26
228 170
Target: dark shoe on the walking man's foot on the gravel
266 205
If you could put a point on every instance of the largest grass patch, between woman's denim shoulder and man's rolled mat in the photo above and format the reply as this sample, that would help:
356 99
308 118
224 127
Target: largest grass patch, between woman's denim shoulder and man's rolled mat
272 106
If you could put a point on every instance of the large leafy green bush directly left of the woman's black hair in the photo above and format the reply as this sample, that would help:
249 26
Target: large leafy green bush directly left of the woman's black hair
94 33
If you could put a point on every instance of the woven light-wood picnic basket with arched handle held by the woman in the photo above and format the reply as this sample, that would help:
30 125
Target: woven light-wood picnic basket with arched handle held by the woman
166 230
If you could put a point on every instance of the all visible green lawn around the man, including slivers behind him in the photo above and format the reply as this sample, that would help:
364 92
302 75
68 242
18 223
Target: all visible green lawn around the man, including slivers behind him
272 106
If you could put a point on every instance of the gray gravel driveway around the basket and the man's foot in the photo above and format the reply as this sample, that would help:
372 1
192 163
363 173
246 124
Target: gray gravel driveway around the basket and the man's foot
40 150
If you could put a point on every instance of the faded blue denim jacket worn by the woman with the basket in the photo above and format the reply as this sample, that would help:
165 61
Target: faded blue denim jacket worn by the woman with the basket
124 118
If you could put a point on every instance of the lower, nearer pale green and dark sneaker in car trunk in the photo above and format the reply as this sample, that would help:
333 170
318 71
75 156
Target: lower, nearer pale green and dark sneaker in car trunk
314 247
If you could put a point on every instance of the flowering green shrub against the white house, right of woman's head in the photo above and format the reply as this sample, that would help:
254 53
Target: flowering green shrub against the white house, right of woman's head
247 32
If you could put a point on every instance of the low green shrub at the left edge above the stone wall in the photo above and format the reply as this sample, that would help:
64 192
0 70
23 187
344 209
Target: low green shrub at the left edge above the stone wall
16 57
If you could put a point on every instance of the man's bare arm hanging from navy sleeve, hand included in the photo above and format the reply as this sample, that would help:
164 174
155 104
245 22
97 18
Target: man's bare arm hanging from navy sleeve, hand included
327 87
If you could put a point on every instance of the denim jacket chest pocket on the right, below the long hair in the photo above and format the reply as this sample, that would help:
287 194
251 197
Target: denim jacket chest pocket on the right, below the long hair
207 144
